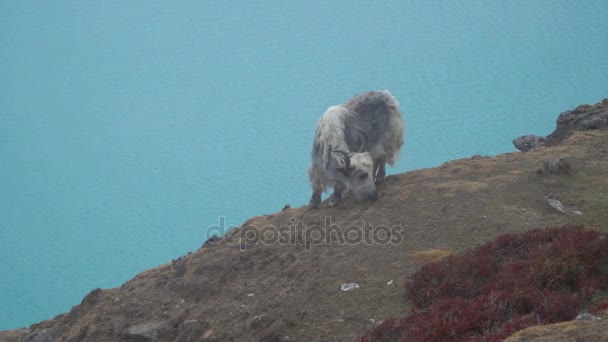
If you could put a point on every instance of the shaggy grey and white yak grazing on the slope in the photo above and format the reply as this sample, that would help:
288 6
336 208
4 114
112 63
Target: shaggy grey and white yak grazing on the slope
352 144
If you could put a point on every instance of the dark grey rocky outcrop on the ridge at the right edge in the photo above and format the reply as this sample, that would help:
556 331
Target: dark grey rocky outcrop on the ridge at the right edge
583 118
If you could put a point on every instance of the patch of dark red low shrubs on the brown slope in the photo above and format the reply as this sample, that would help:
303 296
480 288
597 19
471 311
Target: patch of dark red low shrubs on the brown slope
517 280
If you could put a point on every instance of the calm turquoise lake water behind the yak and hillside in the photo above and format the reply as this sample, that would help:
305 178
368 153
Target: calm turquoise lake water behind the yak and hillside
128 127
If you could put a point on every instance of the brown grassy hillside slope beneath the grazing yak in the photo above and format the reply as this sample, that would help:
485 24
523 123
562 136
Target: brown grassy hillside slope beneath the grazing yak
234 288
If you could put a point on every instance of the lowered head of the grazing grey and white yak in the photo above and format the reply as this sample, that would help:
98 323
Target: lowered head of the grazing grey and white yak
356 172
